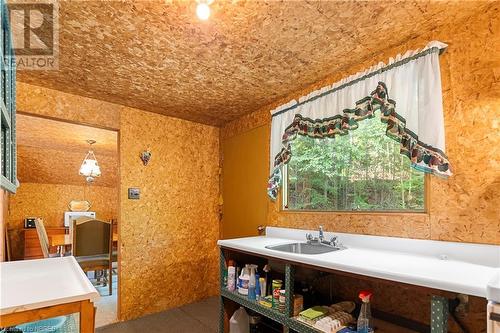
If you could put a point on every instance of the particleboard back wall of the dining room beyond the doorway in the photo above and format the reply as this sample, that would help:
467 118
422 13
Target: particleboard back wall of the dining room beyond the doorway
50 201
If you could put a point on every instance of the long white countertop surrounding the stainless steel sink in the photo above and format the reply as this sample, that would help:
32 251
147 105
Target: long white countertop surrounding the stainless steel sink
439 265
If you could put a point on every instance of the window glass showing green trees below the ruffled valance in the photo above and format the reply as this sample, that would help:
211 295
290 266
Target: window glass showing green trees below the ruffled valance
361 171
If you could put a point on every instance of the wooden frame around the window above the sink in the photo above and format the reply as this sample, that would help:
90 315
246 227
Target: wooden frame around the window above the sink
283 200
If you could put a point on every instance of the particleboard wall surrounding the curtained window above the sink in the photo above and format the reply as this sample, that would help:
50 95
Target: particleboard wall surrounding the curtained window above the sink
465 207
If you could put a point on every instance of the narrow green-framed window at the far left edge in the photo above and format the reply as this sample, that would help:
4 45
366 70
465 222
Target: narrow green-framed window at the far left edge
7 106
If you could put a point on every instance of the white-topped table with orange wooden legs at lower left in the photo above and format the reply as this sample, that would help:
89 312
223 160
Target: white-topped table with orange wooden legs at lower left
32 290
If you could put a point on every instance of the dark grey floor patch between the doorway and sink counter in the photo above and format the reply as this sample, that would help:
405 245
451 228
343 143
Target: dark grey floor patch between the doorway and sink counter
200 317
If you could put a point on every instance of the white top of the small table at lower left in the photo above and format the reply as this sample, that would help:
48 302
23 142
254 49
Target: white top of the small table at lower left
33 284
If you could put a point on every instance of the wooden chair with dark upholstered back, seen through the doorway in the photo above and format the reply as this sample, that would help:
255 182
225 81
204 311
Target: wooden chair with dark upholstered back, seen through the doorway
92 246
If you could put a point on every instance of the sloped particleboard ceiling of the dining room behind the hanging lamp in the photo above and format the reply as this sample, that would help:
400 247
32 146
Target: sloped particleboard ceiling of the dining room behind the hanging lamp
51 152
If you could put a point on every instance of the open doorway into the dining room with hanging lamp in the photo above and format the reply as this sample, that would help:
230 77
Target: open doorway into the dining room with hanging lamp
51 186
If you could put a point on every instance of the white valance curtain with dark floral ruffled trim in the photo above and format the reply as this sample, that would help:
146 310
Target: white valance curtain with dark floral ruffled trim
407 93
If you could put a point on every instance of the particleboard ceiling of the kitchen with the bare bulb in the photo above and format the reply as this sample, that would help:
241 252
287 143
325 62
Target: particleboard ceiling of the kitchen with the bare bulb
157 56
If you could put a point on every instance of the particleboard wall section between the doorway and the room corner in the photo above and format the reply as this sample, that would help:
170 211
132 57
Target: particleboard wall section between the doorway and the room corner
169 251
